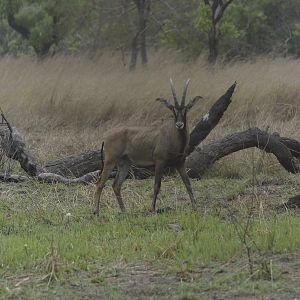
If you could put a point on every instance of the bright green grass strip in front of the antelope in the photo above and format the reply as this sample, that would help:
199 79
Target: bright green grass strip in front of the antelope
25 239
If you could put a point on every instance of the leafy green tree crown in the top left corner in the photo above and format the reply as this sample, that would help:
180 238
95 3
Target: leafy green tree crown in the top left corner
42 23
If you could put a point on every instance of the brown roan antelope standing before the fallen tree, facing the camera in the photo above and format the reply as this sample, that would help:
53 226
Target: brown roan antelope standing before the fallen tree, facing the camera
159 146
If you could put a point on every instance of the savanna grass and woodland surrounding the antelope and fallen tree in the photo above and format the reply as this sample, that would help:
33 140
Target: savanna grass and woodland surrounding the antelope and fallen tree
72 76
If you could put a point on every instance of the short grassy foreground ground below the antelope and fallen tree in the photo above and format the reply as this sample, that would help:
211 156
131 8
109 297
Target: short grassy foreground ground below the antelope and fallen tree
37 234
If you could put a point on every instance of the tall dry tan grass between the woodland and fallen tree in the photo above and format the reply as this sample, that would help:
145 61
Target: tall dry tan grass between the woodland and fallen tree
73 95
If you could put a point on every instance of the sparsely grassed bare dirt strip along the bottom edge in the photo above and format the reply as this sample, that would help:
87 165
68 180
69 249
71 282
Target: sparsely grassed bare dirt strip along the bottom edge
143 281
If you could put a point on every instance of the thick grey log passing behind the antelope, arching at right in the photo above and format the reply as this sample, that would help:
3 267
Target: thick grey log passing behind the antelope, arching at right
202 158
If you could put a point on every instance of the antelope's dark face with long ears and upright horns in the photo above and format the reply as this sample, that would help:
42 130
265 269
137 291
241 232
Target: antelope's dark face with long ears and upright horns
179 110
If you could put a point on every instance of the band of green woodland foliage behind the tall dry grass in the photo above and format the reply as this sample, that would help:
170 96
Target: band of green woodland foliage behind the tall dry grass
247 28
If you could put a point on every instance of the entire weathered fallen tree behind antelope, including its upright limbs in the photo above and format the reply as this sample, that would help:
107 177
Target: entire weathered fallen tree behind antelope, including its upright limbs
86 166
